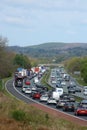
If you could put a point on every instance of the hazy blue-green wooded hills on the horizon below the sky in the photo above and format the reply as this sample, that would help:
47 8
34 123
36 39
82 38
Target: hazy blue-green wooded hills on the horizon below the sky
52 49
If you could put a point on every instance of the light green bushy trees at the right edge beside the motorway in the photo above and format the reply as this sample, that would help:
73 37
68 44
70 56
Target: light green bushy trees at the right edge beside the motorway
78 64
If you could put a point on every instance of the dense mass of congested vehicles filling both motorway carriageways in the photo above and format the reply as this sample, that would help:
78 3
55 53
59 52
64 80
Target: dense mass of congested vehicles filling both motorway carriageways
62 95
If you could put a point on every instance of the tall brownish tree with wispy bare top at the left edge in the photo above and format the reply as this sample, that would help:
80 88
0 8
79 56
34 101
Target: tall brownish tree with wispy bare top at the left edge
6 65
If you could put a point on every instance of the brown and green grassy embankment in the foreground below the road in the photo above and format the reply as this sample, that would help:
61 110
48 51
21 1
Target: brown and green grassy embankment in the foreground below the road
17 115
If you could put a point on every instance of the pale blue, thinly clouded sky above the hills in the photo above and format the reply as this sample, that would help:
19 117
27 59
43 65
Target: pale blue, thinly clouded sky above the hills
33 22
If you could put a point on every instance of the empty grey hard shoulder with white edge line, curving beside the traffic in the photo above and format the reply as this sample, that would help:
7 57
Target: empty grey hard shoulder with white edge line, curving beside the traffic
15 91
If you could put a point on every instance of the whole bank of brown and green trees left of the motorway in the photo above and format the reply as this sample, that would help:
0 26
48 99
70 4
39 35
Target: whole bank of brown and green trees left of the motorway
10 61
